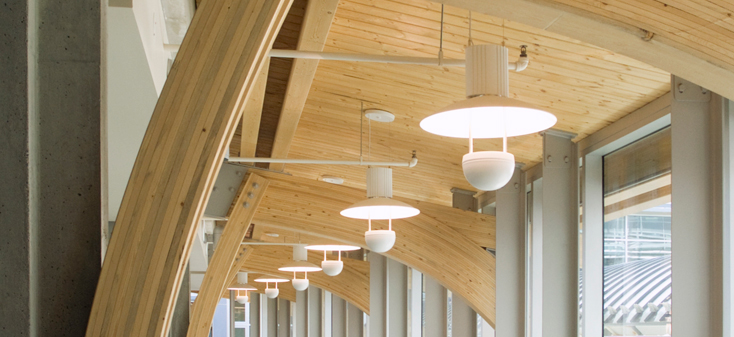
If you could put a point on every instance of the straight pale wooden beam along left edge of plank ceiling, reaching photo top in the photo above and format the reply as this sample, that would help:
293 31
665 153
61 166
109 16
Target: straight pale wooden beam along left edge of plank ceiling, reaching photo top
314 30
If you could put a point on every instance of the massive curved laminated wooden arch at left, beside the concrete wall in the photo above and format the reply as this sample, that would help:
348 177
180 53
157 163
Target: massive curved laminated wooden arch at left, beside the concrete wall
180 156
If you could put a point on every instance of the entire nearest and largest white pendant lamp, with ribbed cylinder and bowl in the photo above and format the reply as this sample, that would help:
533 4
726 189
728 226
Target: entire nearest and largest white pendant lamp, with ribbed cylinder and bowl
488 112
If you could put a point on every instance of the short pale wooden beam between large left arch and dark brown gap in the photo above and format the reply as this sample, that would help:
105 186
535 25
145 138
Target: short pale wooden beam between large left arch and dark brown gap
251 115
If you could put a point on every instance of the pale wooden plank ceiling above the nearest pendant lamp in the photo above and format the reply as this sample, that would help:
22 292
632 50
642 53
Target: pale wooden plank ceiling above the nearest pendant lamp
586 87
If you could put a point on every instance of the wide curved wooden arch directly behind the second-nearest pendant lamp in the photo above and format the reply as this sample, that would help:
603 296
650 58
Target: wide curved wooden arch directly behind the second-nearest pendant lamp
427 242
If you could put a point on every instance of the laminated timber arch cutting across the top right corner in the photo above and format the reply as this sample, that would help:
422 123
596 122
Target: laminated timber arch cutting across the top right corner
693 39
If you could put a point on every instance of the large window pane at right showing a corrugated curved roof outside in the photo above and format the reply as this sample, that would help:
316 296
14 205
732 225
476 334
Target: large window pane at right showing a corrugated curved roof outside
637 239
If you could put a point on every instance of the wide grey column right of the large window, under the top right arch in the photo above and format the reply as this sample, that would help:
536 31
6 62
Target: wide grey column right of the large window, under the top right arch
696 130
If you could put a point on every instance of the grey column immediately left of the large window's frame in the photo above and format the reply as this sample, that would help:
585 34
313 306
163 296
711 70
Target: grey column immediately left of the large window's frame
559 240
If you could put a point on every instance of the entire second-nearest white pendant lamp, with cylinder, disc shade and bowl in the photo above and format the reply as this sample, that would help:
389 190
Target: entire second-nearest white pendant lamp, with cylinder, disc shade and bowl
379 206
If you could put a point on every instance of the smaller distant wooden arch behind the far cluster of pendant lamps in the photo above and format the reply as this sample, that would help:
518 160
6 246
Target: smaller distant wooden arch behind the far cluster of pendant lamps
352 285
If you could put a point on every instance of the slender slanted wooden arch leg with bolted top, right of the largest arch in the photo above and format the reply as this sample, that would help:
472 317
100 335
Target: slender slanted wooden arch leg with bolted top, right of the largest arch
219 273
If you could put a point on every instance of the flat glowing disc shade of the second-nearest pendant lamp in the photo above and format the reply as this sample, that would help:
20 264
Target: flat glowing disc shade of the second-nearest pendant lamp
380 209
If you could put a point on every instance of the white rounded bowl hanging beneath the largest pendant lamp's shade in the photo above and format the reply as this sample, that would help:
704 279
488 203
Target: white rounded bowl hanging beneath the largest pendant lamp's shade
488 170
